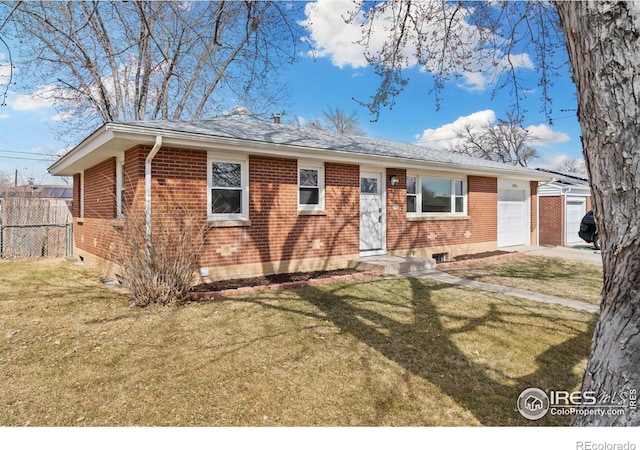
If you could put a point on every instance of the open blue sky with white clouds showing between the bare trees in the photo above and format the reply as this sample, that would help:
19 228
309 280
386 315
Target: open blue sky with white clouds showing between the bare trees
333 78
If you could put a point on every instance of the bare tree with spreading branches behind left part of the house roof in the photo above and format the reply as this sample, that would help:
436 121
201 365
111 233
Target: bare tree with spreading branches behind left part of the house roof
148 60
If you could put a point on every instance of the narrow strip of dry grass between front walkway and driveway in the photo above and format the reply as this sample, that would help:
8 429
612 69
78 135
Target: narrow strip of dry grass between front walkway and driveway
552 276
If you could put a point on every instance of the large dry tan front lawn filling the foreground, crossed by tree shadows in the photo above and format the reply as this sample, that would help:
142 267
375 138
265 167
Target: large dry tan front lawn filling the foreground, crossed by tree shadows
383 351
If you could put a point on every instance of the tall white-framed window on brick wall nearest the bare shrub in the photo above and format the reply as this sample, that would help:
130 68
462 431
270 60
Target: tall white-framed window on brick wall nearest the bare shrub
228 188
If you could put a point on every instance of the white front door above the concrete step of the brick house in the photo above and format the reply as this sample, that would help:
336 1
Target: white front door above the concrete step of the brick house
372 214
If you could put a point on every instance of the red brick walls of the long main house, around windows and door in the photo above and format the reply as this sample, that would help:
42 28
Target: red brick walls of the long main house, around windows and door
278 232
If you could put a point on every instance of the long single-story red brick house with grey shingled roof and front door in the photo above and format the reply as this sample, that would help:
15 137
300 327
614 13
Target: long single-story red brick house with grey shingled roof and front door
279 198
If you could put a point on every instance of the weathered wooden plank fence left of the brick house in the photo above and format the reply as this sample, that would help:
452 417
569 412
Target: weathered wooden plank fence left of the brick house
35 227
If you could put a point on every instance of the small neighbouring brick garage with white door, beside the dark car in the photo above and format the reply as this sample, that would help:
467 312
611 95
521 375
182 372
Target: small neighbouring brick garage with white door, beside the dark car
563 204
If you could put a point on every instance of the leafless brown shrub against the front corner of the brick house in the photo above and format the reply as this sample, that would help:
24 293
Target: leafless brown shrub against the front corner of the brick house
159 263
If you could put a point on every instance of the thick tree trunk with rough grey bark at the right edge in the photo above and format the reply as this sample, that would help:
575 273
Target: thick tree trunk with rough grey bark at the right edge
604 49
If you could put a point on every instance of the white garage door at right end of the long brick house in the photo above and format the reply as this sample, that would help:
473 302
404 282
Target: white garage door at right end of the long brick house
511 217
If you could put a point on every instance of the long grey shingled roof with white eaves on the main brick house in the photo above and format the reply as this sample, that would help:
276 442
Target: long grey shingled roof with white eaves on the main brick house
114 137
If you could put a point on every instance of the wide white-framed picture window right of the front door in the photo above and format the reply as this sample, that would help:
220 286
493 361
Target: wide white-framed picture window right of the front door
434 196
